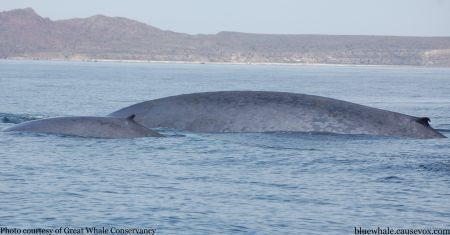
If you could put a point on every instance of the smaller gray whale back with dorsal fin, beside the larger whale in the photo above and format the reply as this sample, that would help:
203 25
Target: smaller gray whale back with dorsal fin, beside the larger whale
95 127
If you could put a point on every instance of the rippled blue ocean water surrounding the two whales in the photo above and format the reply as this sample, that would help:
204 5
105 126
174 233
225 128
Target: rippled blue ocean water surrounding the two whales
194 183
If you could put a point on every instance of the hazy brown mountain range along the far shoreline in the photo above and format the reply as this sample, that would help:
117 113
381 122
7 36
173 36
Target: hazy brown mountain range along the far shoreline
24 34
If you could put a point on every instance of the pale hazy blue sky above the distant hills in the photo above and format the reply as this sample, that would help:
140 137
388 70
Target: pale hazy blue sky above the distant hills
350 17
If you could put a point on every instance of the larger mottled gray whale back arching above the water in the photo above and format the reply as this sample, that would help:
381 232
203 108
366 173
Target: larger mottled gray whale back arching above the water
261 111
